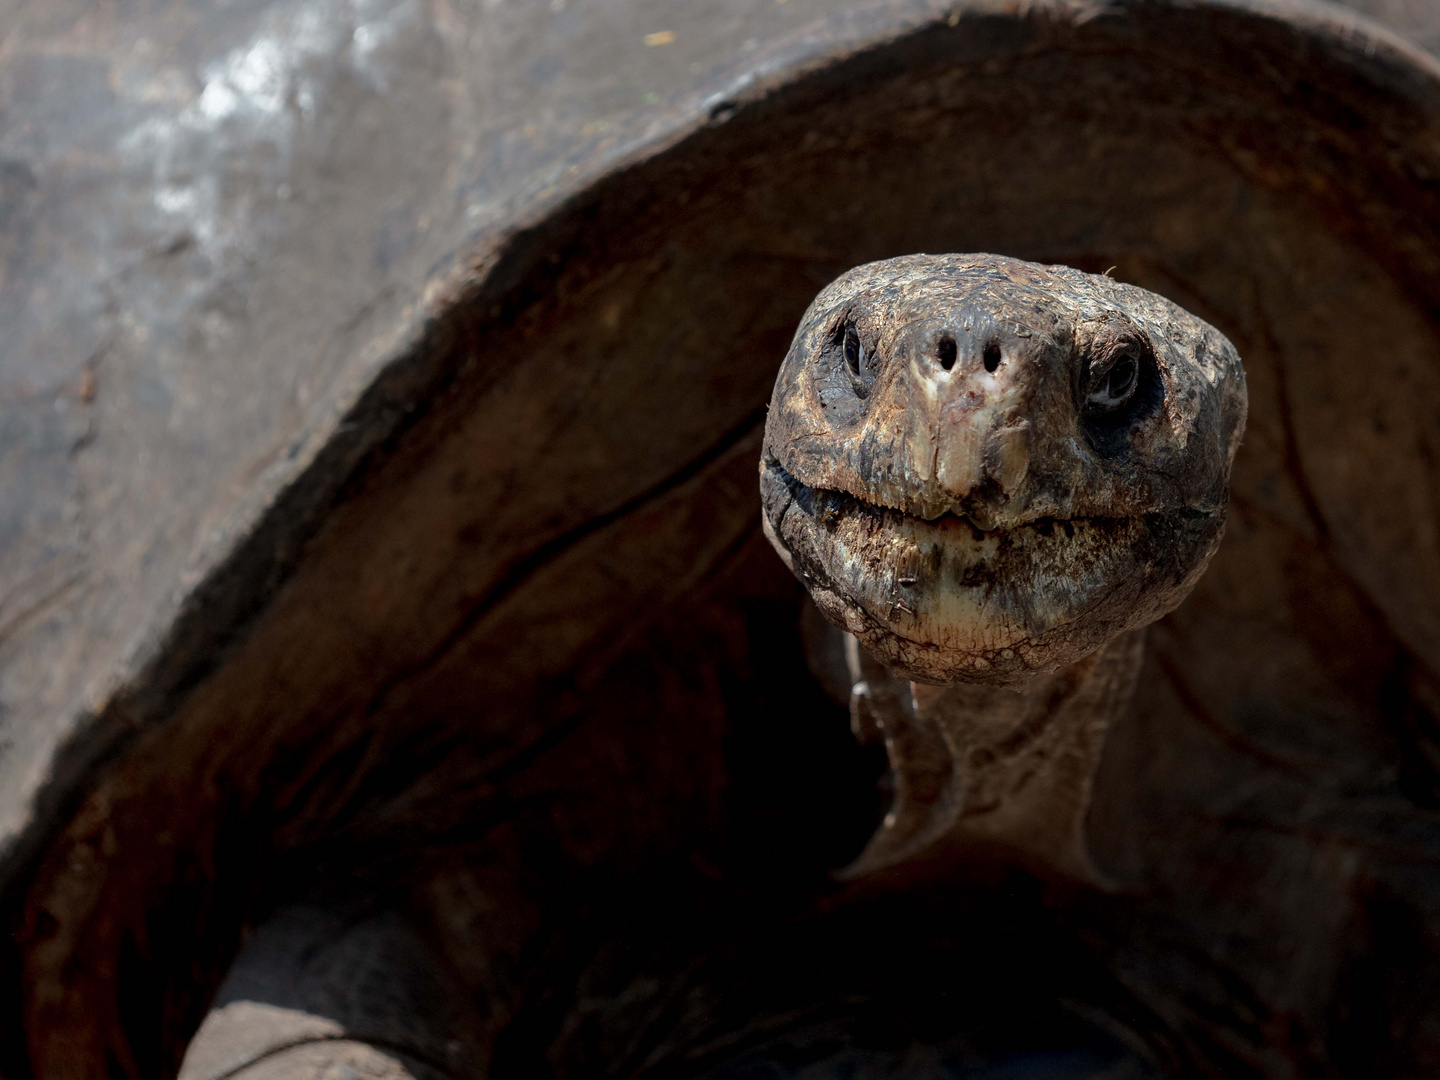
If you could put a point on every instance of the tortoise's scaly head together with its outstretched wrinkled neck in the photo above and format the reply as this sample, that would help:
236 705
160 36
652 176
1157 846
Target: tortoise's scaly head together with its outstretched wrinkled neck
996 474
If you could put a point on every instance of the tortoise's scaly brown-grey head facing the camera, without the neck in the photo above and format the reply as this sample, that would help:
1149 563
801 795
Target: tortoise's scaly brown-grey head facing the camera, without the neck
987 469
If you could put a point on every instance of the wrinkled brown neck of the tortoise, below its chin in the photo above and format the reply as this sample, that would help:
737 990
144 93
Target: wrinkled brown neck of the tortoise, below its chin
996 770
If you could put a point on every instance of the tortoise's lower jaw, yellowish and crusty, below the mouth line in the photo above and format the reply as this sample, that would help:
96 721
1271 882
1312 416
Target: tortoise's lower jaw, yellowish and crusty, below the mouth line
942 603
